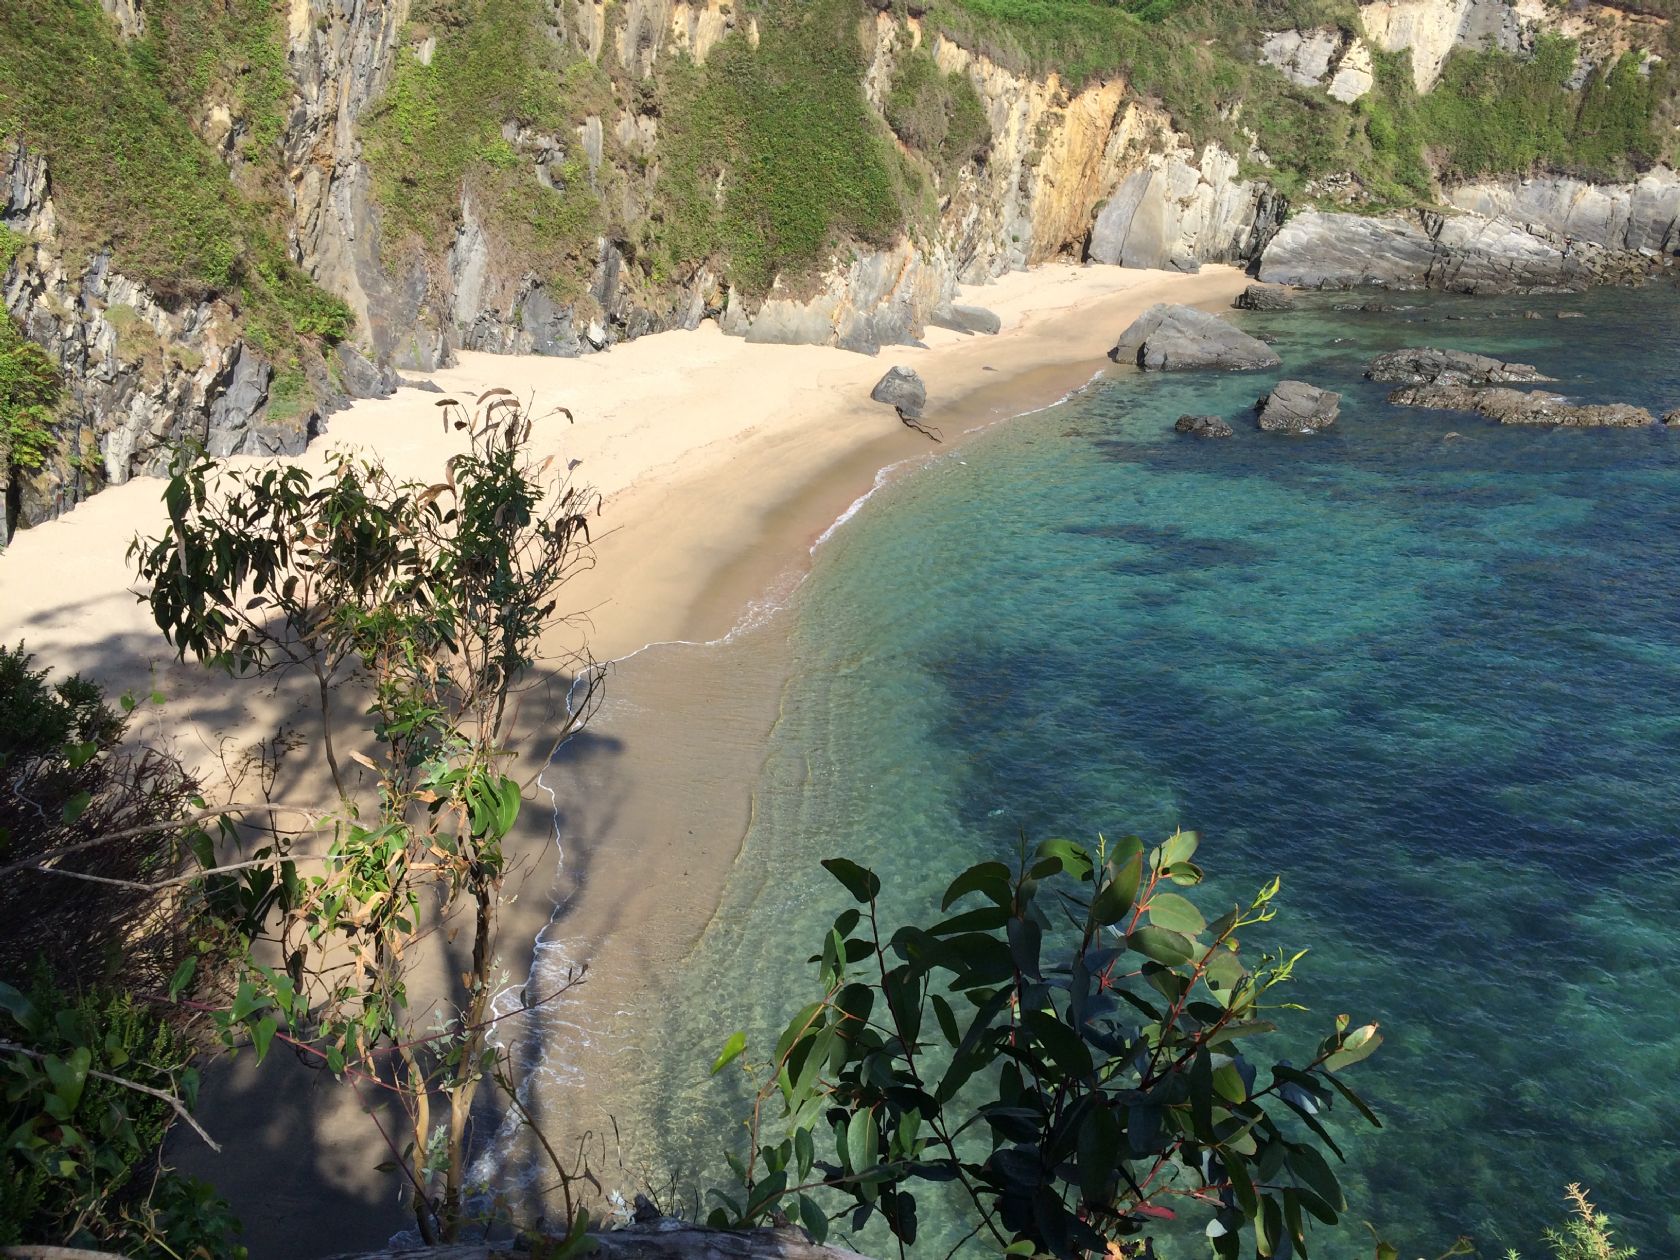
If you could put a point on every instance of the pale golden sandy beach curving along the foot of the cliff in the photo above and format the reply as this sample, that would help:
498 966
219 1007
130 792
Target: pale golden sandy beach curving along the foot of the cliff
720 465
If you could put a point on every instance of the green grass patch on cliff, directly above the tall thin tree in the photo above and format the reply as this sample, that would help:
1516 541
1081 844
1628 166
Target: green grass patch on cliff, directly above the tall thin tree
439 132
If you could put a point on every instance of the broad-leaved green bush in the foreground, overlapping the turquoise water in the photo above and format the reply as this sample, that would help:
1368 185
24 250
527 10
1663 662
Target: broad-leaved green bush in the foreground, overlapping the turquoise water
1074 1047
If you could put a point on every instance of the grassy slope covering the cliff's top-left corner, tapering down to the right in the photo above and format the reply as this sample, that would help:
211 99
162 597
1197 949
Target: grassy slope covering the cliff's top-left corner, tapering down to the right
130 176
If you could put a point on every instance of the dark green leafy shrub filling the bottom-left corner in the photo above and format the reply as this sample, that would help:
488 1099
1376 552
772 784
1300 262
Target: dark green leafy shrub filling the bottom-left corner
80 1152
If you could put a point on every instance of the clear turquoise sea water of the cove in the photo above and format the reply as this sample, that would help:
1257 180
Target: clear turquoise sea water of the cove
1434 685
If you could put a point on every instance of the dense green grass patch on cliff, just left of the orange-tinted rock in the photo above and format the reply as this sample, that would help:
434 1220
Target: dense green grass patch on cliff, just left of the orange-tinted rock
770 154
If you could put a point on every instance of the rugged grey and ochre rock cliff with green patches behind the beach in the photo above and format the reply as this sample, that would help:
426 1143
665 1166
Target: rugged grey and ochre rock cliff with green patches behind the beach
532 177
